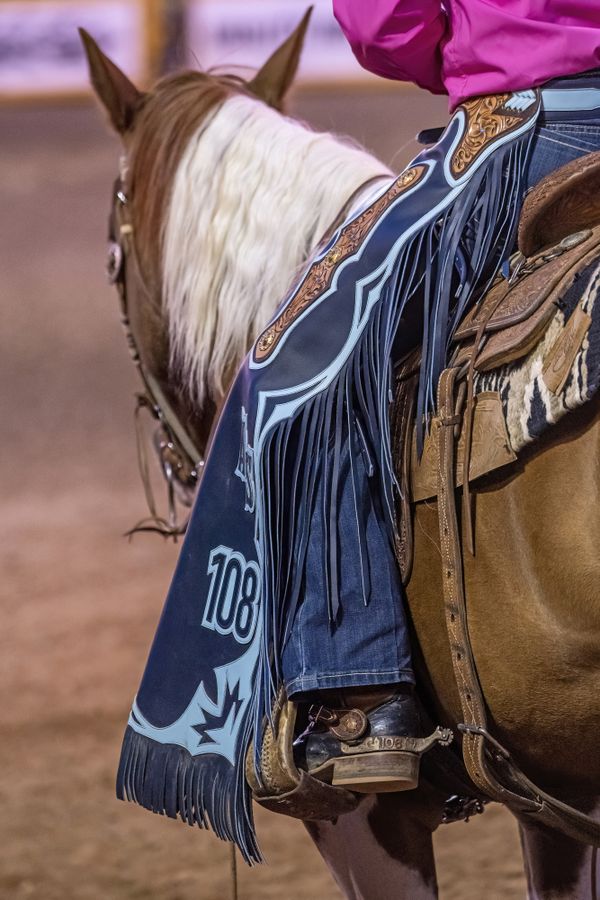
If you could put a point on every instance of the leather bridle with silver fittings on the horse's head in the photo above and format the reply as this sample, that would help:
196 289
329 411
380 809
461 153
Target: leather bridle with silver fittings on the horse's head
180 461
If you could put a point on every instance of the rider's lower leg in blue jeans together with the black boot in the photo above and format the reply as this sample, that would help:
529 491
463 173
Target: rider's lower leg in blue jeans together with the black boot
357 657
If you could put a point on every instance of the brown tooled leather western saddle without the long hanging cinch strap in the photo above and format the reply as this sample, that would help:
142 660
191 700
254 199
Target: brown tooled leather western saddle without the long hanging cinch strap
559 235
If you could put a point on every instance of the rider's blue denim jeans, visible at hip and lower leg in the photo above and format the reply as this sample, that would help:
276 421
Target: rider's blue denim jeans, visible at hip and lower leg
369 642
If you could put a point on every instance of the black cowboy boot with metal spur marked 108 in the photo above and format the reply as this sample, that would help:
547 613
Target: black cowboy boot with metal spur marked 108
367 740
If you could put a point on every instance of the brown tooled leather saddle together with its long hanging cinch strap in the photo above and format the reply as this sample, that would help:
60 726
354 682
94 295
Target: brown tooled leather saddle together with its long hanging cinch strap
559 238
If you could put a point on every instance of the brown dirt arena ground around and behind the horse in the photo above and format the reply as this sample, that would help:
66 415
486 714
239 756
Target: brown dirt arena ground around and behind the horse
79 602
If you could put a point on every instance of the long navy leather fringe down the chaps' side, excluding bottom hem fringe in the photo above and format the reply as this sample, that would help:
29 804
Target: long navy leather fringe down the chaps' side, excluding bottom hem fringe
352 417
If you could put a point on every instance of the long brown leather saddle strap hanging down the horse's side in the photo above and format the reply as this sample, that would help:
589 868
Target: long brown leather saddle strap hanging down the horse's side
488 764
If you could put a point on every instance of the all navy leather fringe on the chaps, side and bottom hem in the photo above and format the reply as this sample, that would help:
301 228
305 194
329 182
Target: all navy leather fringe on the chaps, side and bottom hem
349 418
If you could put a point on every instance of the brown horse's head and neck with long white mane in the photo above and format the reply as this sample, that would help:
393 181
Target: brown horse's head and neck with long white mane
219 201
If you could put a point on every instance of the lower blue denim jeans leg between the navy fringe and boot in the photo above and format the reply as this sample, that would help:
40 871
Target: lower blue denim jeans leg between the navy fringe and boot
366 642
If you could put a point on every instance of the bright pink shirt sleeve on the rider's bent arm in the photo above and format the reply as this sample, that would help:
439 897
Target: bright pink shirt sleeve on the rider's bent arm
397 39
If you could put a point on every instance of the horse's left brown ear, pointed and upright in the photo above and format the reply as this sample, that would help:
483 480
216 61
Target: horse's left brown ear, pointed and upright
115 91
